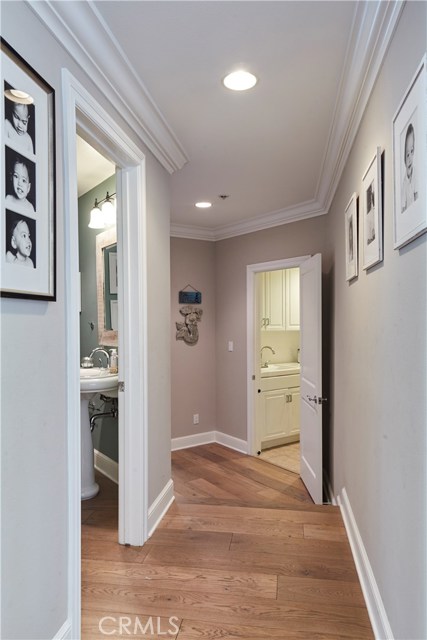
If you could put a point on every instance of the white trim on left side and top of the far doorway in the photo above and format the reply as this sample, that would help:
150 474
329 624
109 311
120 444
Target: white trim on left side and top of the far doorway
252 360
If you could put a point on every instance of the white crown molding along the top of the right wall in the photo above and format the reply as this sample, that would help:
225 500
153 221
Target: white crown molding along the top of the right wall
373 27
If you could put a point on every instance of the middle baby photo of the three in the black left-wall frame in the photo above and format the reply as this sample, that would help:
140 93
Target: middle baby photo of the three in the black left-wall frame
20 182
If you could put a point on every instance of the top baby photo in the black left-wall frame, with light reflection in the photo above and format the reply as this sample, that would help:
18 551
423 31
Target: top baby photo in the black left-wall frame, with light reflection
19 123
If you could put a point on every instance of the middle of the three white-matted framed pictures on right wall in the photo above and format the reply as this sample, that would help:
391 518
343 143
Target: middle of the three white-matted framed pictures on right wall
371 213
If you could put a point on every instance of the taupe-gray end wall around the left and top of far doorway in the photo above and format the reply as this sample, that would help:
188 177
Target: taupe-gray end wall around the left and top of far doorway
232 257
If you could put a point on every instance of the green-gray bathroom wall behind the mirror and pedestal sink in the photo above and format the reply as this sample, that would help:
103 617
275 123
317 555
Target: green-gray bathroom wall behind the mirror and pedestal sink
105 435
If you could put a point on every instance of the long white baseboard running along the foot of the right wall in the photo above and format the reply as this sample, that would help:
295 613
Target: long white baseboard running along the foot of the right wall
374 603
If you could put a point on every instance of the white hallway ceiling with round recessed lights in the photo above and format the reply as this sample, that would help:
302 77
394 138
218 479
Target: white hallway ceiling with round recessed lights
268 149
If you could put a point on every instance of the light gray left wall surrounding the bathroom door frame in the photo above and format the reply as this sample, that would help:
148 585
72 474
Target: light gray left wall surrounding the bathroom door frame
34 460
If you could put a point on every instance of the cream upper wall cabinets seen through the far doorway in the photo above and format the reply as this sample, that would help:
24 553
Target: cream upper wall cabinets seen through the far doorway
280 300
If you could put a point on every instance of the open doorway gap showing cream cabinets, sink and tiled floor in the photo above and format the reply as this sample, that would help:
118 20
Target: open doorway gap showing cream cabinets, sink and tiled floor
277 414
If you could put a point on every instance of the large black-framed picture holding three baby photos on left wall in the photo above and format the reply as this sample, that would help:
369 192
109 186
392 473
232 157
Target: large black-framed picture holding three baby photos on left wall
27 181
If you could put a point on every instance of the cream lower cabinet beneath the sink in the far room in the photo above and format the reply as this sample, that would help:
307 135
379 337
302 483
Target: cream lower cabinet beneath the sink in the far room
279 410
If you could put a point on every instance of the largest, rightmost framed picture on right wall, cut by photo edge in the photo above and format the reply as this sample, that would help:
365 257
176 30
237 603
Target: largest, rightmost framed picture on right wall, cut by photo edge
410 161
